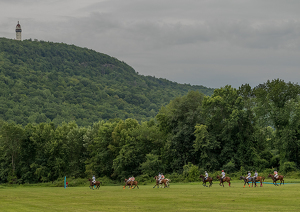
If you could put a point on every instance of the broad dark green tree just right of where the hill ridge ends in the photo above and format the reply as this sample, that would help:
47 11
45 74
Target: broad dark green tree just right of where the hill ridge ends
227 135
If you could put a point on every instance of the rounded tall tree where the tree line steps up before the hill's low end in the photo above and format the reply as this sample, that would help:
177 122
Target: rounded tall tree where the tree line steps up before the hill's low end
177 121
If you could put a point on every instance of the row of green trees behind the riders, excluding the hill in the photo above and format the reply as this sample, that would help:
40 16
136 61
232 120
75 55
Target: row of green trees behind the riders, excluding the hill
233 129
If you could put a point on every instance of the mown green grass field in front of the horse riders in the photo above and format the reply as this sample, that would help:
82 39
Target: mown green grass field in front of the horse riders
179 197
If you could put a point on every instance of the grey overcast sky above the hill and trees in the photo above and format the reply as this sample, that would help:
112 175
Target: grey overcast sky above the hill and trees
201 42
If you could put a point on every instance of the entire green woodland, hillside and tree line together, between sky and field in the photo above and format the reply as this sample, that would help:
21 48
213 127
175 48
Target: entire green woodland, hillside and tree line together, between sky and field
70 111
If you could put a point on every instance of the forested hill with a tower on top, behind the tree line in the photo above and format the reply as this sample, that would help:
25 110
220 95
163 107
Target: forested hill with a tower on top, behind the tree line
44 81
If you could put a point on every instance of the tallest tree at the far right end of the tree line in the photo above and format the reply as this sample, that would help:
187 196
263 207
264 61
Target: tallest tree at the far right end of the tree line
277 103
